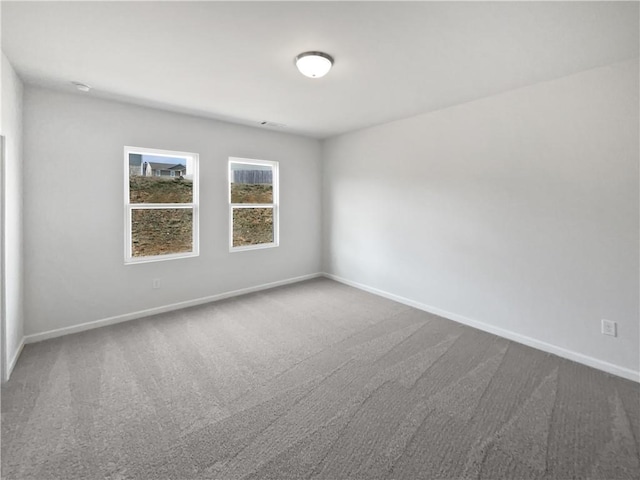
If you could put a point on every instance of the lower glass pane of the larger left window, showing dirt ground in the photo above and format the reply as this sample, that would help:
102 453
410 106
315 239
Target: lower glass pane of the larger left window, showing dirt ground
161 231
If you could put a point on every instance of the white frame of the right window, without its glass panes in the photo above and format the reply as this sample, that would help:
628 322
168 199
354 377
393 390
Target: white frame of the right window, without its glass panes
275 206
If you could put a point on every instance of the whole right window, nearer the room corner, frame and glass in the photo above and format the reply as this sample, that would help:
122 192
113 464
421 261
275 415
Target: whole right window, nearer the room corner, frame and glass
253 204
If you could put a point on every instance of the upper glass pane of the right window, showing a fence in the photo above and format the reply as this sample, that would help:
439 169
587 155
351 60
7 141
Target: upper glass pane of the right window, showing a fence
251 183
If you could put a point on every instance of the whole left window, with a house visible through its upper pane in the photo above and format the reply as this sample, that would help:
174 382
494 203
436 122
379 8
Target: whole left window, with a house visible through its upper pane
161 211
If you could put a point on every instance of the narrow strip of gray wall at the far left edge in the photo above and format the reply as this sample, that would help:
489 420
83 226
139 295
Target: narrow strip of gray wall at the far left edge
12 291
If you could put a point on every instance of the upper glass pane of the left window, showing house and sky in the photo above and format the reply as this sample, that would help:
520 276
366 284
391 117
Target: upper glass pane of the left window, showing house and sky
157 179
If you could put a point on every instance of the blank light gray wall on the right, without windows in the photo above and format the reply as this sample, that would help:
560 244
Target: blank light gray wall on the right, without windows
519 211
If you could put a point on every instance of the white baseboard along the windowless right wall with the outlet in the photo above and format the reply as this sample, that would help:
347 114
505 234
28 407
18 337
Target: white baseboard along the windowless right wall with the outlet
501 332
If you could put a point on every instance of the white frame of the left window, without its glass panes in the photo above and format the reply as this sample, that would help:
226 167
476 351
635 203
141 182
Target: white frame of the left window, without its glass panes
129 259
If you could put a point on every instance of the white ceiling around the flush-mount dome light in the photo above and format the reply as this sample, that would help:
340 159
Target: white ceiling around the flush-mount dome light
234 60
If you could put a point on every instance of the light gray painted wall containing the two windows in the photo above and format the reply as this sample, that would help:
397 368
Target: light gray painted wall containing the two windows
74 226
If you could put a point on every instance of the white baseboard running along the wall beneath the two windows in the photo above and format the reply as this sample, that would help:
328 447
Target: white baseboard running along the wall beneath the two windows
58 332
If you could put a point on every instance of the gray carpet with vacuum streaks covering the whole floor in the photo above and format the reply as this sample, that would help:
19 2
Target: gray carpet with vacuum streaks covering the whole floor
313 380
